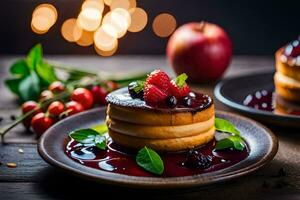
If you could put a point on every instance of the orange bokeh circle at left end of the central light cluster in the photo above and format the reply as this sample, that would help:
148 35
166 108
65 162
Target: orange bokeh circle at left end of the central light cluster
70 30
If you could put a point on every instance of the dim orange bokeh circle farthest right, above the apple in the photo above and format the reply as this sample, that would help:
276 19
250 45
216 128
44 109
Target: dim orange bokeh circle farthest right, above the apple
164 25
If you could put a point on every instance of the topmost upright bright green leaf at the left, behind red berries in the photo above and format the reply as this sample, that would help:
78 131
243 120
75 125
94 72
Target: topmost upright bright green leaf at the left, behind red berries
35 56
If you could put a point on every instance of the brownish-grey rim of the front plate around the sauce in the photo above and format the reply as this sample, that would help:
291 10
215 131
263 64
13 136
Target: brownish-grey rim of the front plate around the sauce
263 147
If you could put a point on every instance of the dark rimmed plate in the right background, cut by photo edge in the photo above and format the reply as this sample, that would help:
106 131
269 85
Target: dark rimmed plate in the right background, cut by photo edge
233 91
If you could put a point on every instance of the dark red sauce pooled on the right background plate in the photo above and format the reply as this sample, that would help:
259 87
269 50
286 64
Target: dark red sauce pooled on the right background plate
268 101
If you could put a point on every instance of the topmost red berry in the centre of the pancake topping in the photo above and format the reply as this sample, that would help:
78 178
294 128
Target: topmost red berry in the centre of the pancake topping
160 79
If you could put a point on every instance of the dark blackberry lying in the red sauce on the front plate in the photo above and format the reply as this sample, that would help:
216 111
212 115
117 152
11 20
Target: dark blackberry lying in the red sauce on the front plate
196 160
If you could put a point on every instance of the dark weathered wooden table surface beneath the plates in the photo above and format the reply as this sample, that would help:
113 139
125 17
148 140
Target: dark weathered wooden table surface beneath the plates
35 179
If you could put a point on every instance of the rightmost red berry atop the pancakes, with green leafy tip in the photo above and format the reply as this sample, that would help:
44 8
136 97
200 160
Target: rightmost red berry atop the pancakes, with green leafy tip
178 87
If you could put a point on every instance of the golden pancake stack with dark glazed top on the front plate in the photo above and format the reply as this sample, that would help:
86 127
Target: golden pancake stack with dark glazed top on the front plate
133 124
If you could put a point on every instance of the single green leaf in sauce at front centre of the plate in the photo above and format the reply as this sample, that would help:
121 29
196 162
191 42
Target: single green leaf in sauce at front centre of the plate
149 160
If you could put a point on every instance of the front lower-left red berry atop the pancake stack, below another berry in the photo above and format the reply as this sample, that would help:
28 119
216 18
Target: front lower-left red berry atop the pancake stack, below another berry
154 95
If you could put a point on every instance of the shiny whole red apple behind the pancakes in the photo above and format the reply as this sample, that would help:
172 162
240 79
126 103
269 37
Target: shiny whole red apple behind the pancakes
201 50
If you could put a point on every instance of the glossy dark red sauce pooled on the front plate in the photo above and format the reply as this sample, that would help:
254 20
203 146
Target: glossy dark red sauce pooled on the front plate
118 159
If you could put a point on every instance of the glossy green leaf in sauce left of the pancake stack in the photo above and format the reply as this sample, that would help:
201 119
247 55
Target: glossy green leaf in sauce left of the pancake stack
89 136
